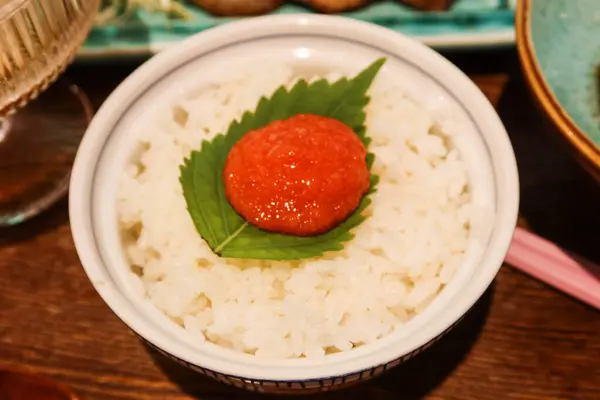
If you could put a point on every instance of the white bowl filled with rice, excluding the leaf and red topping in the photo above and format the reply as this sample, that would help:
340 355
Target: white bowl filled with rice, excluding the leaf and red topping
429 242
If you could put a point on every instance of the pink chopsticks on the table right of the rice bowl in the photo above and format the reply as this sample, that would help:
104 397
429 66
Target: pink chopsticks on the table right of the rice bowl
550 264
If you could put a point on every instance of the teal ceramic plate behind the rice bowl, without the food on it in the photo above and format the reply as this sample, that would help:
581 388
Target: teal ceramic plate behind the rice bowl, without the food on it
469 23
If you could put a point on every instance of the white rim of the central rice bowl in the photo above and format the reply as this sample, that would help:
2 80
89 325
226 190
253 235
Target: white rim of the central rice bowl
87 159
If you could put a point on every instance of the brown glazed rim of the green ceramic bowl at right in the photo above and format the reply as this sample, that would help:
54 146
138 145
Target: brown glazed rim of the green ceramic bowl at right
542 91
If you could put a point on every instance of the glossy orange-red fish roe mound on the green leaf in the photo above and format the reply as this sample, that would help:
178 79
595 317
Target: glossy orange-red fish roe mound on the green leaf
301 176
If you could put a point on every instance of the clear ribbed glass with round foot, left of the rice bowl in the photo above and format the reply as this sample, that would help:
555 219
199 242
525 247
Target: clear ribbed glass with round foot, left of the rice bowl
38 39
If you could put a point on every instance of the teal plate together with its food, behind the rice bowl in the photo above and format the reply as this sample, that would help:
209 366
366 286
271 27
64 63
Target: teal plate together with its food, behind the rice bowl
129 28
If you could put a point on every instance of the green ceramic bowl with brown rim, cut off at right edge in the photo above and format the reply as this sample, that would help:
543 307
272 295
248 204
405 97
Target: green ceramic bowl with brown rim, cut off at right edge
559 47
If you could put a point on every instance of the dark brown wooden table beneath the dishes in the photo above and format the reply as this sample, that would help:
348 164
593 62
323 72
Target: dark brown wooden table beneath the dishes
523 341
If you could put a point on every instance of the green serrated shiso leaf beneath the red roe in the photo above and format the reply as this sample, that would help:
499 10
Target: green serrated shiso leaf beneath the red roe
226 232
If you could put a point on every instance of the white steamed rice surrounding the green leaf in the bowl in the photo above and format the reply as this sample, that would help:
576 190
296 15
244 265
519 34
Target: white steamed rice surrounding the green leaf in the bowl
404 253
